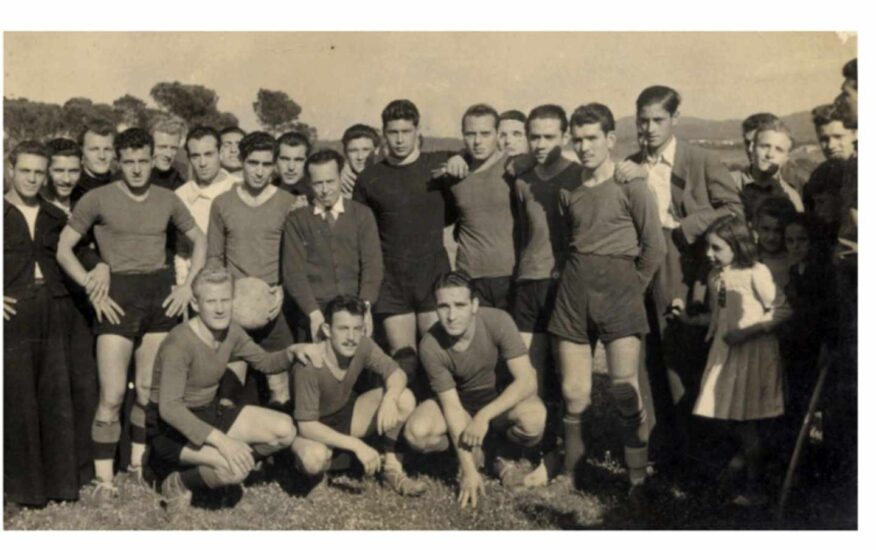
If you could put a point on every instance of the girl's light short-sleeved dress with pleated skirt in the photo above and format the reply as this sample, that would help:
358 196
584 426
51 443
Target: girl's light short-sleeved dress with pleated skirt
744 381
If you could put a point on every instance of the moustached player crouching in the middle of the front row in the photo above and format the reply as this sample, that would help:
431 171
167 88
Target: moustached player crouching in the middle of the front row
330 413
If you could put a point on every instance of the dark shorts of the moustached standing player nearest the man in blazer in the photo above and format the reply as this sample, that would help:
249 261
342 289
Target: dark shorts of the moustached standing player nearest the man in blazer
600 297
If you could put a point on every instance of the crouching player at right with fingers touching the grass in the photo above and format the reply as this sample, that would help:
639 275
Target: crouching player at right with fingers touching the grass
479 368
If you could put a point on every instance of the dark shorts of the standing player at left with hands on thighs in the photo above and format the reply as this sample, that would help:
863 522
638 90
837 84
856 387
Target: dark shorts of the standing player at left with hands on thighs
140 296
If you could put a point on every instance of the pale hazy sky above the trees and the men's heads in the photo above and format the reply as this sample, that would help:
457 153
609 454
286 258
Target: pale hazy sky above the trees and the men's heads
342 78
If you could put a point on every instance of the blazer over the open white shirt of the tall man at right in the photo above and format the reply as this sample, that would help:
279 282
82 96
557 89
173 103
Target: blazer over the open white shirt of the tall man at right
702 189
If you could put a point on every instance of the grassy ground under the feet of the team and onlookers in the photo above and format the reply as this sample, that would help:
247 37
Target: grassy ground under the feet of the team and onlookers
274 500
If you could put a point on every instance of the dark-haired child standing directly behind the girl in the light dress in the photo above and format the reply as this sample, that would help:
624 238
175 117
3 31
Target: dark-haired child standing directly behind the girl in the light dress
770 219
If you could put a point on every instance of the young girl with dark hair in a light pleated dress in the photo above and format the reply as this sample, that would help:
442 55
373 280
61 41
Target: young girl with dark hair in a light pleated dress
742 382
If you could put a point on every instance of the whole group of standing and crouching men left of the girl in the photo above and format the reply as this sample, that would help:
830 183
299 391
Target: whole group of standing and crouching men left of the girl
553 256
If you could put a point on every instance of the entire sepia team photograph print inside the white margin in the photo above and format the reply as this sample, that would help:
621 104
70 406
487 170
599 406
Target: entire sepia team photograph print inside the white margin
452 280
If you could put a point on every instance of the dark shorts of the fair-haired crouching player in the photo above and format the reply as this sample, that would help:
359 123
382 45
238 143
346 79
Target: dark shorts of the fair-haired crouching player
166 443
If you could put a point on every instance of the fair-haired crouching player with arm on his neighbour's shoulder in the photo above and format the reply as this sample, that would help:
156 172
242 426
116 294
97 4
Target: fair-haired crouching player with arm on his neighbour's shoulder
194 441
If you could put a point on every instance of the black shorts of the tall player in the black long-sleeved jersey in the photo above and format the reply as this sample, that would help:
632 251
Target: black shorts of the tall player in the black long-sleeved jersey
407 284
